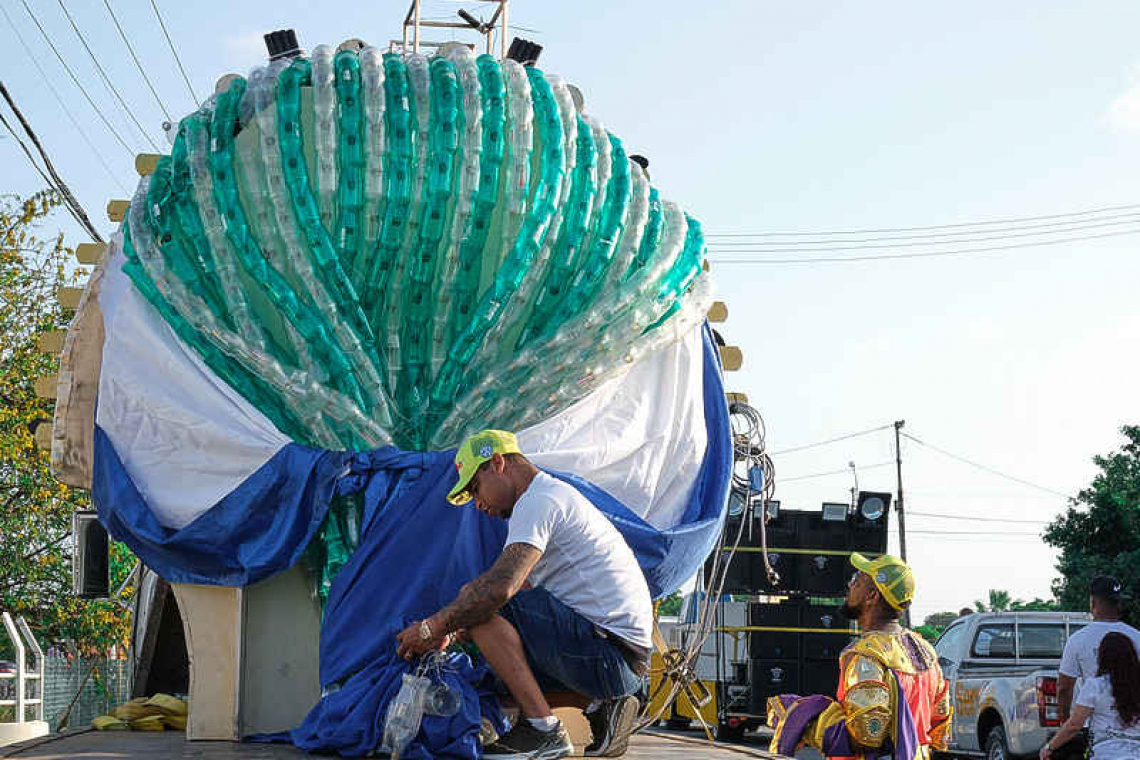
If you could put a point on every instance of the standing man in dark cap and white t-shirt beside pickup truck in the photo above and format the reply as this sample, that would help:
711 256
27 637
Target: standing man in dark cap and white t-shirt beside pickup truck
1079 660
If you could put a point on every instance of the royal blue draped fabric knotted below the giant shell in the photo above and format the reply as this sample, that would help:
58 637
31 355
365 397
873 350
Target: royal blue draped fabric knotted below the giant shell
416 552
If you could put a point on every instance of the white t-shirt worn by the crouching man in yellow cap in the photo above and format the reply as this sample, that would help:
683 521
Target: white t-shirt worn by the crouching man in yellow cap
587 565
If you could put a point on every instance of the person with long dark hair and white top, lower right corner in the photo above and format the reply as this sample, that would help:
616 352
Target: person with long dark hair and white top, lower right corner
1110 701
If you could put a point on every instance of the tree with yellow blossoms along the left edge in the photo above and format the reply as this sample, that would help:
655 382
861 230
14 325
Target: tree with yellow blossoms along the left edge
35 509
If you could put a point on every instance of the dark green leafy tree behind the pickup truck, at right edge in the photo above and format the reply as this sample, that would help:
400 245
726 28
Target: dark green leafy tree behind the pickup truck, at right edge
1100 534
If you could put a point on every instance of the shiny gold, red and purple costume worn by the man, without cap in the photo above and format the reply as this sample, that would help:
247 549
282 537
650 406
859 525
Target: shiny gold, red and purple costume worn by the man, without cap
868 720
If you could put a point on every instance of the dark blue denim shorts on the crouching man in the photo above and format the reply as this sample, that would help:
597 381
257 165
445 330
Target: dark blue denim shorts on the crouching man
566 651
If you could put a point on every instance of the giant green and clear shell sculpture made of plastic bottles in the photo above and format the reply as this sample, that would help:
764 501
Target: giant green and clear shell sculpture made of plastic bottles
376 249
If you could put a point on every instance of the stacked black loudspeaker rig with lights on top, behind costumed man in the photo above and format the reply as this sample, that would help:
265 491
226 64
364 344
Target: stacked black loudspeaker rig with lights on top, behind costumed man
795 630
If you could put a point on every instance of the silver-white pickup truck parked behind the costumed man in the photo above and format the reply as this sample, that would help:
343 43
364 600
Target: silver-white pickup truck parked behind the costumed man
1003 674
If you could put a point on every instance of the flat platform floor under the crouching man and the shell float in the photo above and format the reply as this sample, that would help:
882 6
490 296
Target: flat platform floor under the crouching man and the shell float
126 746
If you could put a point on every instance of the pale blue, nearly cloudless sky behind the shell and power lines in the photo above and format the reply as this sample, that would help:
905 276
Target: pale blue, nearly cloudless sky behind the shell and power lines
762 117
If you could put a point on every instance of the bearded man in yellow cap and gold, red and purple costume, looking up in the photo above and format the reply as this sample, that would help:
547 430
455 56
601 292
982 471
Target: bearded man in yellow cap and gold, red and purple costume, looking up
893 701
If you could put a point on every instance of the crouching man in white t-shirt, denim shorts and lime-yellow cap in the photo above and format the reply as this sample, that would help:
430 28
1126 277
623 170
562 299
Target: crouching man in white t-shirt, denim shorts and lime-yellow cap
565 607
